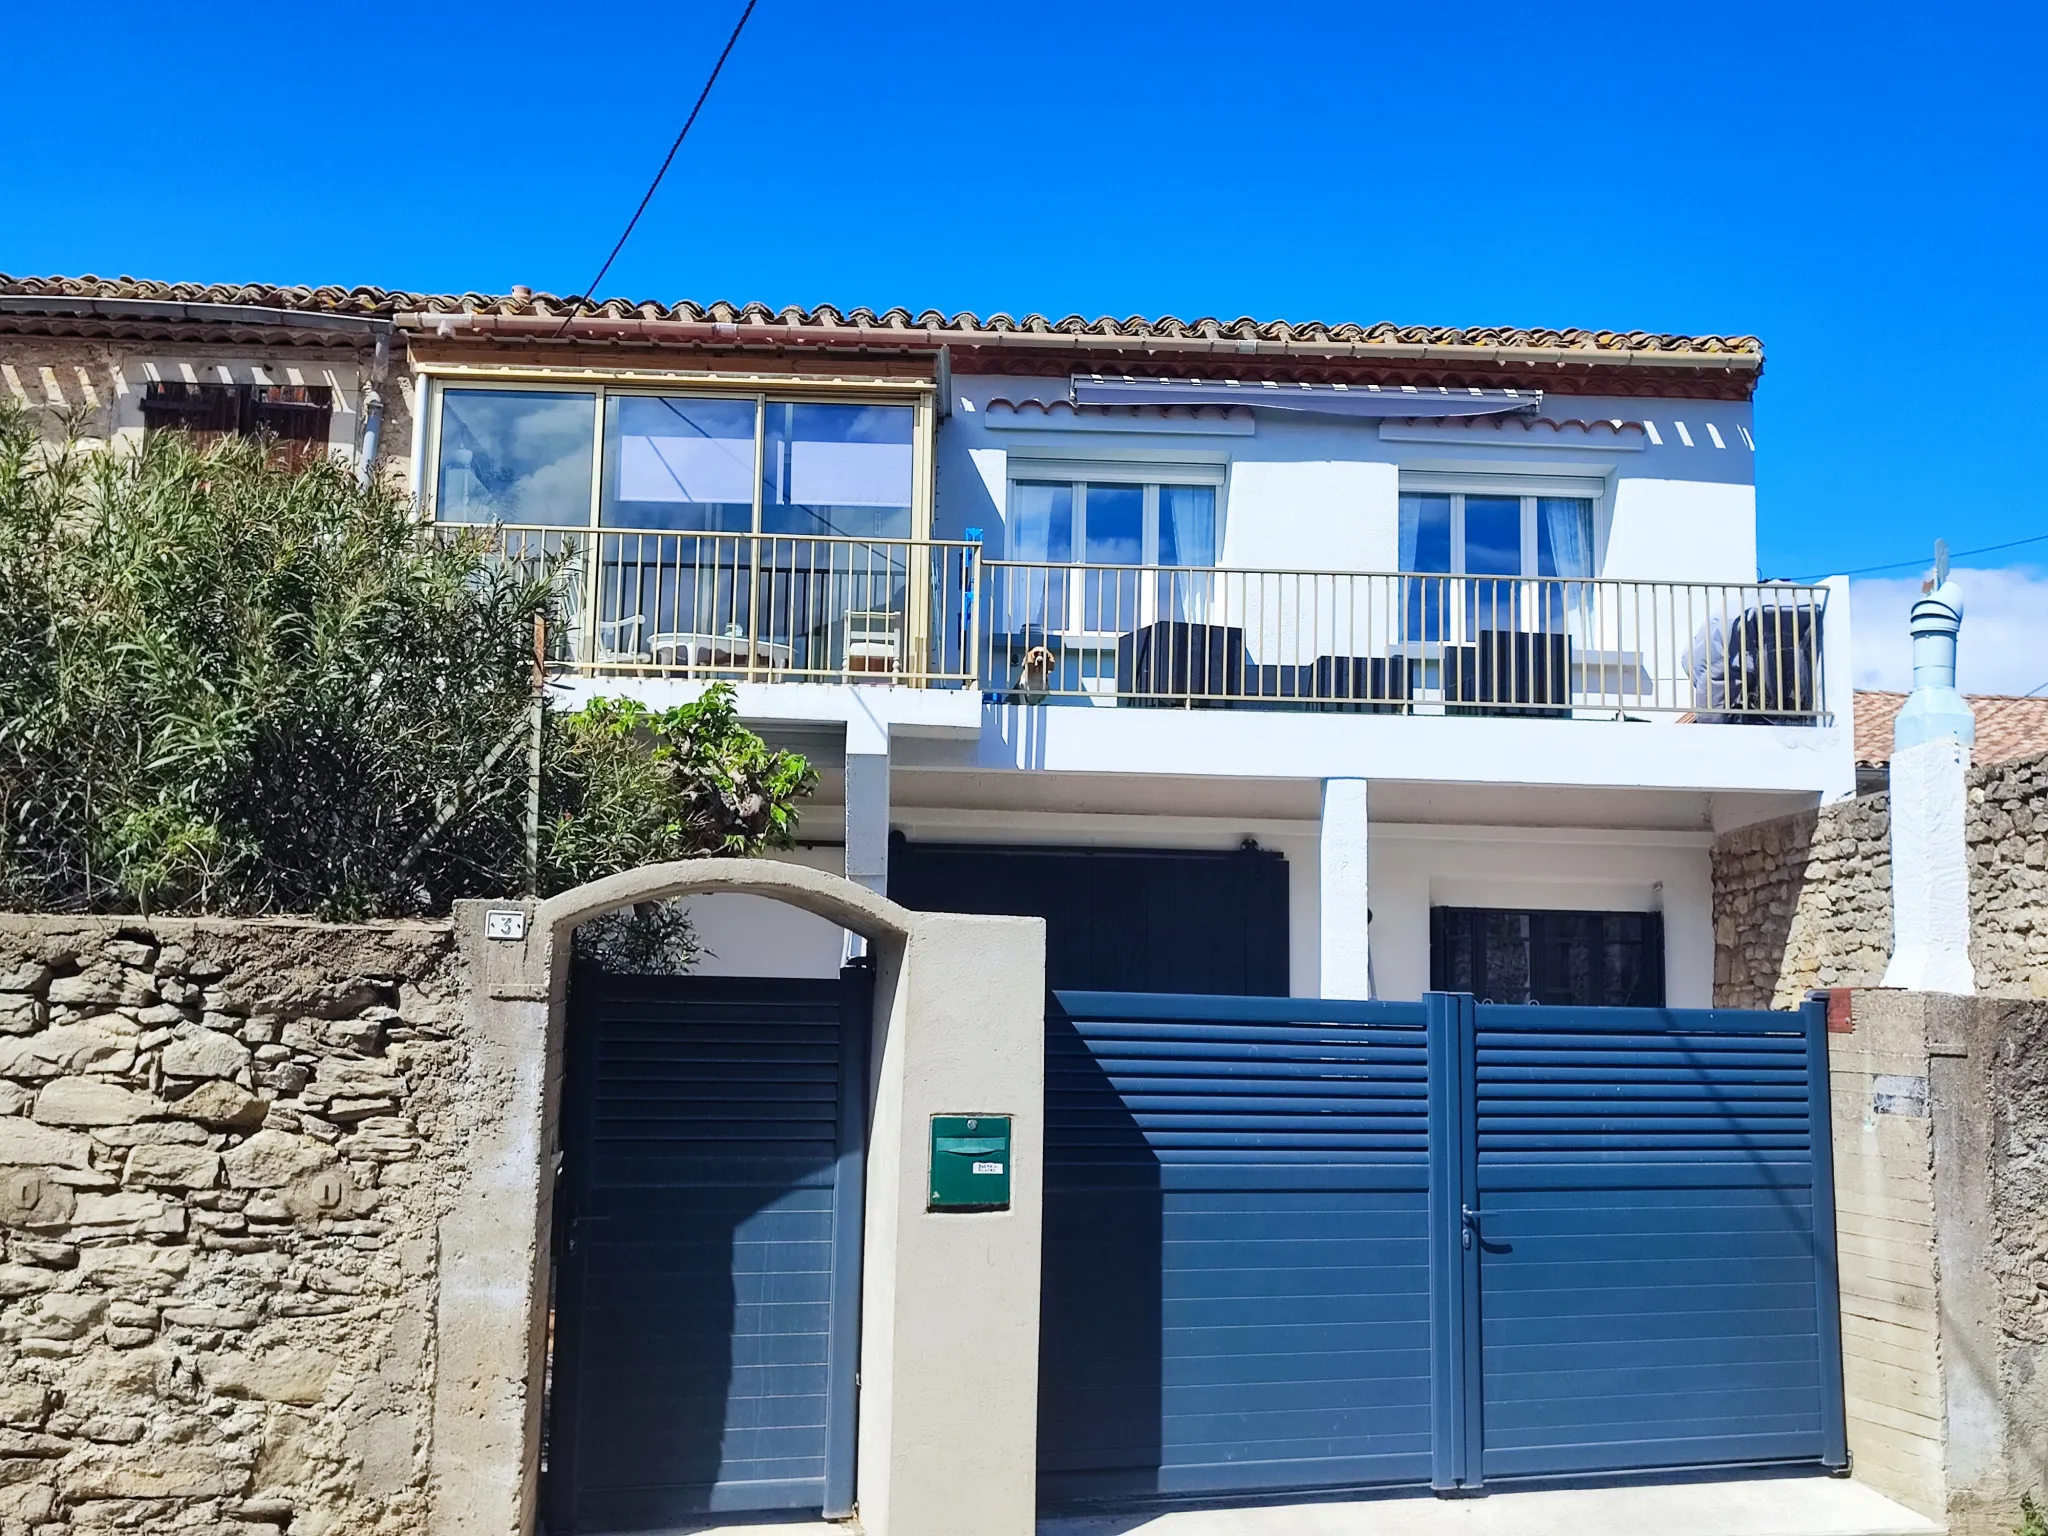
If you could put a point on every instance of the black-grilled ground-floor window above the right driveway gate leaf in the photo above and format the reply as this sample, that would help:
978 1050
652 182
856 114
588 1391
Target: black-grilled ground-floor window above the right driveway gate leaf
1590 959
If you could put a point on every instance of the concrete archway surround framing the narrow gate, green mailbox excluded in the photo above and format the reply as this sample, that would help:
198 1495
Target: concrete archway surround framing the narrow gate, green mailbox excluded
957 1029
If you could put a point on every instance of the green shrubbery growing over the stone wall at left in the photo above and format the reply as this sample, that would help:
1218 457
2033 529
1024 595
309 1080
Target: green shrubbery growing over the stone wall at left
232 687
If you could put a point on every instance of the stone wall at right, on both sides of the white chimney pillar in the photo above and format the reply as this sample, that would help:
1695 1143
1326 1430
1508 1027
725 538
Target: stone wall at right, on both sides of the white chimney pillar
1807 900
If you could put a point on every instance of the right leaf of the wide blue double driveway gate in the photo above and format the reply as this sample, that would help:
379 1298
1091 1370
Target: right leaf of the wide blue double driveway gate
1652 1215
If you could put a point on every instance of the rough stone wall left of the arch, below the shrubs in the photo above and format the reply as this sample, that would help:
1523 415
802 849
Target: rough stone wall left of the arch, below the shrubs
224 1152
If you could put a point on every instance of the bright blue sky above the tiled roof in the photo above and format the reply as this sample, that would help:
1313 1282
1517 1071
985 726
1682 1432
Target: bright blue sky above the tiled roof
1859 185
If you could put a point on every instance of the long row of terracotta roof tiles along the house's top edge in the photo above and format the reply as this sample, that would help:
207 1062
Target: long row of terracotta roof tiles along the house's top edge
392 302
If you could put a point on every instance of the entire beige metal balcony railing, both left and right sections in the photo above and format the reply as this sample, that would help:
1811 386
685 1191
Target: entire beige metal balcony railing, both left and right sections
939 615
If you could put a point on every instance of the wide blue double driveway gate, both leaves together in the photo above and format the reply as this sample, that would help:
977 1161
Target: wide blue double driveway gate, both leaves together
1299 1244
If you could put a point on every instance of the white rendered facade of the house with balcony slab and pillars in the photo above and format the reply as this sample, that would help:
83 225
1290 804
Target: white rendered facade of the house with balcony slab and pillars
1394 814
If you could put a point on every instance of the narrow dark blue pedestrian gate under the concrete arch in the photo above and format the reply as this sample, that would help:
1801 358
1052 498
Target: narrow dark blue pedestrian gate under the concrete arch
710 1246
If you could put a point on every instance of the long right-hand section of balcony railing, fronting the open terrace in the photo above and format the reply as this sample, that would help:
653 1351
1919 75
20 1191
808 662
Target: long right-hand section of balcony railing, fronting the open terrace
1402 642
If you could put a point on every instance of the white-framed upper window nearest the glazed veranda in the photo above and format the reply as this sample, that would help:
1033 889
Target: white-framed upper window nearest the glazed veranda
1099 554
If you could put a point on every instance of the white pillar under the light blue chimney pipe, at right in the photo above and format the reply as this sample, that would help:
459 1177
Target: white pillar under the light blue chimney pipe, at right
1930 869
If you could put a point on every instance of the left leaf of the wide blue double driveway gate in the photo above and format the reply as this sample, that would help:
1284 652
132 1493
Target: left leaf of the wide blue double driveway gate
1236 1246
